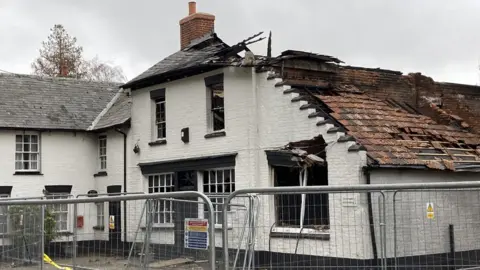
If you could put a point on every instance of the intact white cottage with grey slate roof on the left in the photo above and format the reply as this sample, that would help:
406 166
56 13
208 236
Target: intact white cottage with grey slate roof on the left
63 137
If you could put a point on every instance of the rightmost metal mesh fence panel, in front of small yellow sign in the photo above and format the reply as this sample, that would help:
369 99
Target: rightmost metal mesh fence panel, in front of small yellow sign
434 228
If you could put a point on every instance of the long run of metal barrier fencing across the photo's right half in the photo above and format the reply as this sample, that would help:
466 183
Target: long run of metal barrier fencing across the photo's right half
400 226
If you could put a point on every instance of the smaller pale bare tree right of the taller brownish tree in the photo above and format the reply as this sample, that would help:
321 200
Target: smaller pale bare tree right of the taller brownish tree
97 70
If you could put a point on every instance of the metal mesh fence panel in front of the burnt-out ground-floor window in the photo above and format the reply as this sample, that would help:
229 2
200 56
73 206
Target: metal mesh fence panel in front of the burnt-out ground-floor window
288 230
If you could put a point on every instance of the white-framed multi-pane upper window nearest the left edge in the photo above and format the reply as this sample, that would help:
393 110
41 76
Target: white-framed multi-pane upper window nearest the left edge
21 152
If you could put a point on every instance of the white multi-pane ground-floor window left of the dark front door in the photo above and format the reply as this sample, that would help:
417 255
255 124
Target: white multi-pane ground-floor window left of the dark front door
162 212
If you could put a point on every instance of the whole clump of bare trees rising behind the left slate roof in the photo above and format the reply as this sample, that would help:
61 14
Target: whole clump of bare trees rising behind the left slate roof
61 57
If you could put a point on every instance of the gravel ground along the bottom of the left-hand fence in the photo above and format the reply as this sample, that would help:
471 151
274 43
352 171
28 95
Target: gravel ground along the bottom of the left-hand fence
107 263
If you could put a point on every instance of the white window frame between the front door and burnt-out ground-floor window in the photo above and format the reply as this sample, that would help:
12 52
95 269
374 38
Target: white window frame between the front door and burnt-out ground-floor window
217 198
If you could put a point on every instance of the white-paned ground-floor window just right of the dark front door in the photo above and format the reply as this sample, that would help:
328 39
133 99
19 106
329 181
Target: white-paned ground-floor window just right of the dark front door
217 184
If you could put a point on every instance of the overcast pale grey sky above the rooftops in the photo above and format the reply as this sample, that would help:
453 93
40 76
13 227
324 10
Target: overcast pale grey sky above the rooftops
440 38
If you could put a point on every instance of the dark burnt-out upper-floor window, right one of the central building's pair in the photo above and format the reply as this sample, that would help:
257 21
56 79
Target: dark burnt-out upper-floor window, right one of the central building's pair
215 102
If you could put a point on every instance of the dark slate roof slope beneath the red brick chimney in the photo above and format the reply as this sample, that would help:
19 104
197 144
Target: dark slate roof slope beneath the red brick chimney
198 53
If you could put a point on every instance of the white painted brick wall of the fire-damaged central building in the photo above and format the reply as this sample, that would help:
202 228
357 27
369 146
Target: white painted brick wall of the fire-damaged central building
279 121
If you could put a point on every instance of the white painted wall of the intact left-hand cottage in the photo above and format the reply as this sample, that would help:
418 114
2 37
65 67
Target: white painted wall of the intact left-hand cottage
67 158
